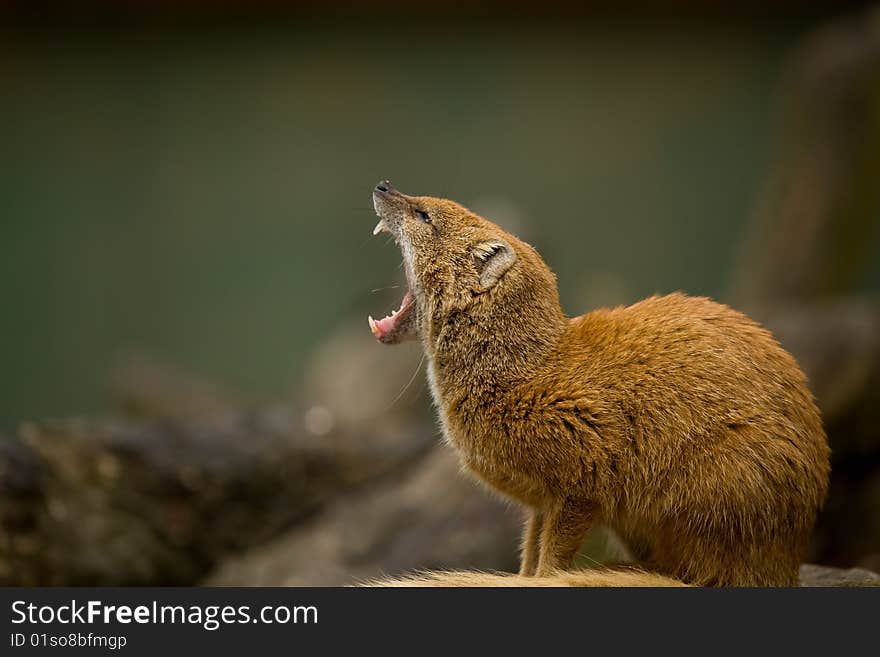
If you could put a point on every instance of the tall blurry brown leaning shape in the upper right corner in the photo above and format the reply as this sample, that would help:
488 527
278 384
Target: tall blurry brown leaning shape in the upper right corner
814 226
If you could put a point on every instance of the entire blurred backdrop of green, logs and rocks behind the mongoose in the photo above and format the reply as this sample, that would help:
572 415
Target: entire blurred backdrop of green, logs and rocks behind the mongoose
186 259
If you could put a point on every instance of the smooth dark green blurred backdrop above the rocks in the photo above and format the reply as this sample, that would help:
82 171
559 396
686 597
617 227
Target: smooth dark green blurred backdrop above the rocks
204 194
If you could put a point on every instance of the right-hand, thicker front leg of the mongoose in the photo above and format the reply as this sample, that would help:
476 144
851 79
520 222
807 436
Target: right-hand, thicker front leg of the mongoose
563 531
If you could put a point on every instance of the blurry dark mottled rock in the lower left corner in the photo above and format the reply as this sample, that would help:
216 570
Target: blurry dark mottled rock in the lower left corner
117 502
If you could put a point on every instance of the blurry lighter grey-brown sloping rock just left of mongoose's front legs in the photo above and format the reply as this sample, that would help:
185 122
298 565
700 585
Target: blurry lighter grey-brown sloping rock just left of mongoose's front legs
430 517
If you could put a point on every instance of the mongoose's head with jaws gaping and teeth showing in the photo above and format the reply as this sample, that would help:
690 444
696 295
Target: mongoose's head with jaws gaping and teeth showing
457 264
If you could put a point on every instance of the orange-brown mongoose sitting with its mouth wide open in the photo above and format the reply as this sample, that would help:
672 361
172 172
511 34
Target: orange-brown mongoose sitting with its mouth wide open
678 422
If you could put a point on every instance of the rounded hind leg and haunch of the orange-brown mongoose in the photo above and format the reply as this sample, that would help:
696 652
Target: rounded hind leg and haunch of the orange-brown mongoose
738 513
